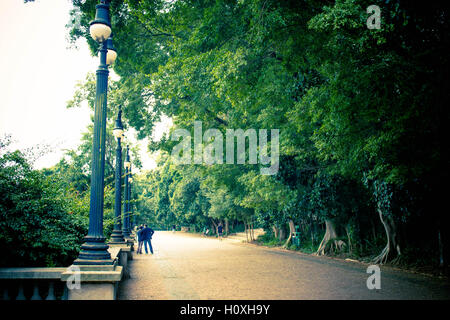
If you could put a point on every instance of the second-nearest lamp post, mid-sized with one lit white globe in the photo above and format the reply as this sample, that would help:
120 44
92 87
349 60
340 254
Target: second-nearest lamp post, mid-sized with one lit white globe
117 235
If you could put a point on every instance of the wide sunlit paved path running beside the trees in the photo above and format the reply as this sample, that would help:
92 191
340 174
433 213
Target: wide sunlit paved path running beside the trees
191 267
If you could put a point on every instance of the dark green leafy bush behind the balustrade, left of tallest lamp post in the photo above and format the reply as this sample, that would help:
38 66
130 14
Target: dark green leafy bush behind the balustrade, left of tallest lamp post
41 222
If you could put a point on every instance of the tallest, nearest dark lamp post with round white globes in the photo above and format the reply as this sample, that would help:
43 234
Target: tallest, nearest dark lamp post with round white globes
94 251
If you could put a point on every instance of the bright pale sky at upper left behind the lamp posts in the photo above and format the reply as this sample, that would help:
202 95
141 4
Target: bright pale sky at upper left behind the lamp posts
38 74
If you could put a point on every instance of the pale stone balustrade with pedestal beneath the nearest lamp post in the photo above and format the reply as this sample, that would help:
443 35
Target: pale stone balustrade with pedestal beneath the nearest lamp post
95 282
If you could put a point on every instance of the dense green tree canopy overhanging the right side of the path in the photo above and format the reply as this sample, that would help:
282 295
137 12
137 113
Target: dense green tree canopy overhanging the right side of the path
362 113
